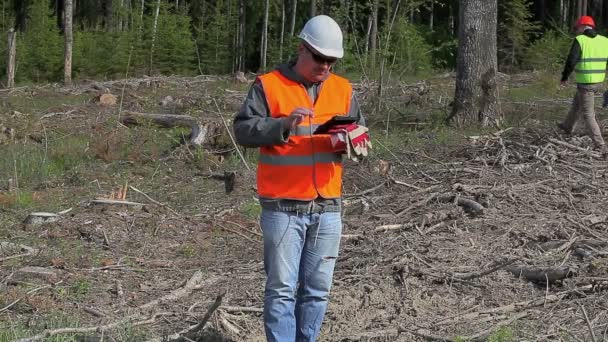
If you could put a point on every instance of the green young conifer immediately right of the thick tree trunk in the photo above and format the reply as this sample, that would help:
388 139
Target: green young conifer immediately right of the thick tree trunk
515 31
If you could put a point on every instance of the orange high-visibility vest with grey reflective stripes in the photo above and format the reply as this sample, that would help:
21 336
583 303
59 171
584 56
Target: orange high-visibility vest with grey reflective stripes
305 167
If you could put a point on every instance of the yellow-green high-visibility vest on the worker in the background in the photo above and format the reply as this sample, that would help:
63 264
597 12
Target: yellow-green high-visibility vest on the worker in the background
591 68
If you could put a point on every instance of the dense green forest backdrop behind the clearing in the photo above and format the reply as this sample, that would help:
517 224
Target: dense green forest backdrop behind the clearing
114 38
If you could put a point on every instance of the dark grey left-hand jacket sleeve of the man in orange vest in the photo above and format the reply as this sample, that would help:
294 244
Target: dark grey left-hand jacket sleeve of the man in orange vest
253 126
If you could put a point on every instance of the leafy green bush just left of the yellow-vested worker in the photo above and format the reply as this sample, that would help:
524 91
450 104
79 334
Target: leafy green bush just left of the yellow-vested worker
549 52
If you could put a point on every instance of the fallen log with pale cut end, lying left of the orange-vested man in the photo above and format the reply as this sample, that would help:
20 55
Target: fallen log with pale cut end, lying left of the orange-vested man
199 131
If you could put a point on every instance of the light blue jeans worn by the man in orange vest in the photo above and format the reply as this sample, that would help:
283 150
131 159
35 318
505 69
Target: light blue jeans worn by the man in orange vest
300 252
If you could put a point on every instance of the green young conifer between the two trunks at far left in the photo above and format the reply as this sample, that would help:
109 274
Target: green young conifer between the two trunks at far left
40 49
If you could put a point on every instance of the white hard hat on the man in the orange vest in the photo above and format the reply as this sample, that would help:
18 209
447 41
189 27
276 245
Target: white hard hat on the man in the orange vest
323 34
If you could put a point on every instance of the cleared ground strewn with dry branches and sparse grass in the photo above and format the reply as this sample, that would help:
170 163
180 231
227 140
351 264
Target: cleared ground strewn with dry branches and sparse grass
499 236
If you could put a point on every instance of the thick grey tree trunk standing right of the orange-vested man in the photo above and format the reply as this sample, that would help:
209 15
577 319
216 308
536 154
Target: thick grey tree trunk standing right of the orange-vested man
476 95
